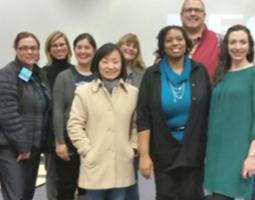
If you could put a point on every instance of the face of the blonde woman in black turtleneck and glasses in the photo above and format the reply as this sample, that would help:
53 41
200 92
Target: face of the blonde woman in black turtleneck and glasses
59 49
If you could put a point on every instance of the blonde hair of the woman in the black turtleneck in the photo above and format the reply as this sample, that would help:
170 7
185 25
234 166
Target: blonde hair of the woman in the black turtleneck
52 38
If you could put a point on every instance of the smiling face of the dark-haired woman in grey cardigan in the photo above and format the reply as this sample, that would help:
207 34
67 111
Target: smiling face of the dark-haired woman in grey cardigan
84 52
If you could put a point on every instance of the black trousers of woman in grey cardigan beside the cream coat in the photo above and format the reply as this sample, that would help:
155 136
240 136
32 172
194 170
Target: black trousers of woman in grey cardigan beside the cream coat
67 181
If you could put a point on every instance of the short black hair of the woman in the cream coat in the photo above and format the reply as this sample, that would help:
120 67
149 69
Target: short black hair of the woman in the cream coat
103 51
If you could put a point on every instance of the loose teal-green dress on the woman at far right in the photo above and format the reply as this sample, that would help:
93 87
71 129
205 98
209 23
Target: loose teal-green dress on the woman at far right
230 132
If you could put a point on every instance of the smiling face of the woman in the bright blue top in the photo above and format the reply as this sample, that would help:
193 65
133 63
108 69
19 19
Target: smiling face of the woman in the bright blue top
174 44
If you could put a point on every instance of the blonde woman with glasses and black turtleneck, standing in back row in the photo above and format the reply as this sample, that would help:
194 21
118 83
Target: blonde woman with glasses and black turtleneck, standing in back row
58 53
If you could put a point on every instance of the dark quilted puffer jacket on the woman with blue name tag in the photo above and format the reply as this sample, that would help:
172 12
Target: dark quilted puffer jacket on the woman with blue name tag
22 122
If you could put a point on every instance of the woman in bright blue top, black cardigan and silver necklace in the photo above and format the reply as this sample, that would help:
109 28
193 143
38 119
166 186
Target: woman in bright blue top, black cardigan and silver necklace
173 104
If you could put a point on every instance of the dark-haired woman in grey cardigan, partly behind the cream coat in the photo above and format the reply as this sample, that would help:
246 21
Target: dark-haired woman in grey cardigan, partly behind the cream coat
67 160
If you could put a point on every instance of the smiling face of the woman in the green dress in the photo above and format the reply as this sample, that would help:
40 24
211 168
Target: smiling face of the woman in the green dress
238 46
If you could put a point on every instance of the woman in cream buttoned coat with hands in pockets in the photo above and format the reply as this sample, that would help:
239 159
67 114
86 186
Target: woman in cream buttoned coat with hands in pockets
102 127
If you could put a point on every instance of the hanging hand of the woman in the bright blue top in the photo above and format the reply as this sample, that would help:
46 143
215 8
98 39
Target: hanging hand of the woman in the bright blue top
145 166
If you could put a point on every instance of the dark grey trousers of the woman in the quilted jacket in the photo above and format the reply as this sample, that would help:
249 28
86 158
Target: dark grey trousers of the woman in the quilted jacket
18 178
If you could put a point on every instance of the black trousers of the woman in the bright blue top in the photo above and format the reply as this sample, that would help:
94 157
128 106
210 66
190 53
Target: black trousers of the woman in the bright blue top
184 183
